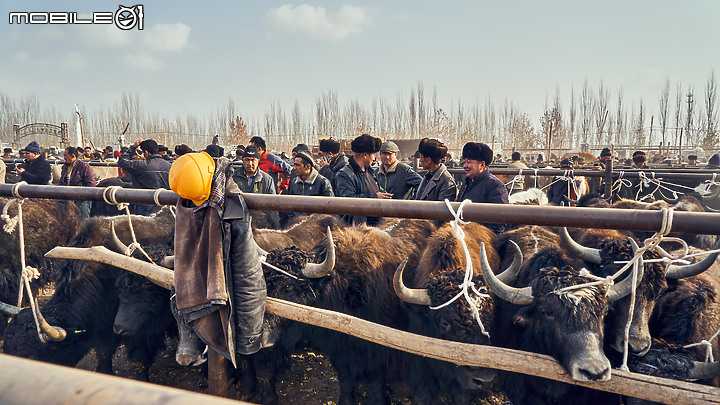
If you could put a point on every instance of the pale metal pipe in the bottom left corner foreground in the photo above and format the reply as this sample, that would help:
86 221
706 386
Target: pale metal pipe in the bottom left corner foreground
30 382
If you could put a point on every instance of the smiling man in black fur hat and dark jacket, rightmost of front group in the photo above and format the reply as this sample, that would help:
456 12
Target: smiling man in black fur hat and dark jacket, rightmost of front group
480 185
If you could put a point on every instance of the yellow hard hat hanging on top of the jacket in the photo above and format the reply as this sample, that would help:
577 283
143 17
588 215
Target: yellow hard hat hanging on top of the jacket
191 176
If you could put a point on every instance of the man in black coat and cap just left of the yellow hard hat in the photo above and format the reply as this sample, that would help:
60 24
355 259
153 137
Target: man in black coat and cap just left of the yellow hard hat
151 173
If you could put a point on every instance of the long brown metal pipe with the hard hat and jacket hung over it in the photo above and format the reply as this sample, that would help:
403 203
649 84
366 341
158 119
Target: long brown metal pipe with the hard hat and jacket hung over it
604 218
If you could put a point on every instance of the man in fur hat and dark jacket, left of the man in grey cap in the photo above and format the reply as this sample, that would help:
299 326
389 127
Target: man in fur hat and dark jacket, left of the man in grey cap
357 179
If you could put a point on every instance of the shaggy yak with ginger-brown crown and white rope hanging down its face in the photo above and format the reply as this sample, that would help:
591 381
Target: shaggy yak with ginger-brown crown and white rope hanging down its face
440 271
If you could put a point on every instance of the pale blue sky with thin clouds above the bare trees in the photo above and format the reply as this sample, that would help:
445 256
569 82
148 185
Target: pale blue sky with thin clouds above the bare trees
192 57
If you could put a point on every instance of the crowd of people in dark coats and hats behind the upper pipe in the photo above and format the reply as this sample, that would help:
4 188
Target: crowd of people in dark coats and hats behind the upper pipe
371 170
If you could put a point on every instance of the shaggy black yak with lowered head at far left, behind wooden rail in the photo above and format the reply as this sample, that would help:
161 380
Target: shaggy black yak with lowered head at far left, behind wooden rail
86 300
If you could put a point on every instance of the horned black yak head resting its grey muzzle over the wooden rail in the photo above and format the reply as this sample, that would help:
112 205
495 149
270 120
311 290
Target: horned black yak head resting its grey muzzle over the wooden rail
547 318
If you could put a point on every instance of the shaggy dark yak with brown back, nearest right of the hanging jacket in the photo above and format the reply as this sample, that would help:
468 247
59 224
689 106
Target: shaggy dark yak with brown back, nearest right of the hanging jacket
360 285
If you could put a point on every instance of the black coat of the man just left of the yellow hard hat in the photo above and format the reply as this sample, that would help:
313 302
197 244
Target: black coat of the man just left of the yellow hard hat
152 173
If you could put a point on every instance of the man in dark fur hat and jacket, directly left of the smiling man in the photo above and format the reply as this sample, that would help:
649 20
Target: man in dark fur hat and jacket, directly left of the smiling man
438 184
